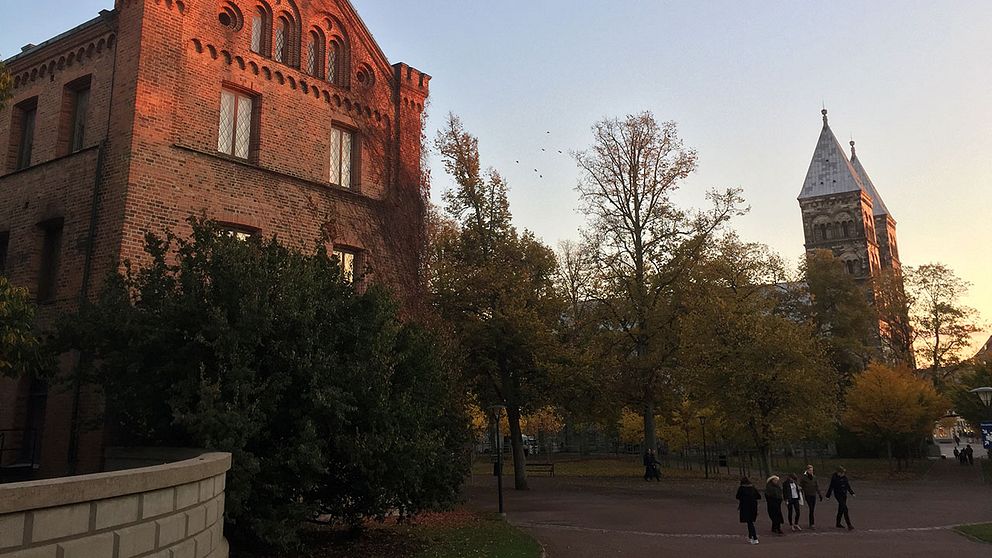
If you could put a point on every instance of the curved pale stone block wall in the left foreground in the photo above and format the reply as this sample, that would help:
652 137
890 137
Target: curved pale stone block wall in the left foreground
166 511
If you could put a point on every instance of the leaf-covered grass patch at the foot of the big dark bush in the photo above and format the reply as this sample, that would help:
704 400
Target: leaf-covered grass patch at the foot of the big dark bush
443 535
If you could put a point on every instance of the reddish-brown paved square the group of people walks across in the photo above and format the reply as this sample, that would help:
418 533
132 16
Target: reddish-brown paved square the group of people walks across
598 518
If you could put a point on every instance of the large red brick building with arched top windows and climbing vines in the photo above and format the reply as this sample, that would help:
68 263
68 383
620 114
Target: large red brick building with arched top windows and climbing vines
272 117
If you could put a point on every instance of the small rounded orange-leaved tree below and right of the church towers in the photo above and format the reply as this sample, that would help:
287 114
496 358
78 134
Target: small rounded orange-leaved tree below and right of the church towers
892 406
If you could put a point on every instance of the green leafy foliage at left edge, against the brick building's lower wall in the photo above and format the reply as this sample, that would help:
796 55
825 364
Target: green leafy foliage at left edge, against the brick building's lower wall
23 351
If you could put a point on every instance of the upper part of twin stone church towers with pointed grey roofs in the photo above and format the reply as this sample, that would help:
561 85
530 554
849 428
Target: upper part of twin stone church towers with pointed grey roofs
844 213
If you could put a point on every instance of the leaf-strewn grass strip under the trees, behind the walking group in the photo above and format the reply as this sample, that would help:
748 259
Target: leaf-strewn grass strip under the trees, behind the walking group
629 466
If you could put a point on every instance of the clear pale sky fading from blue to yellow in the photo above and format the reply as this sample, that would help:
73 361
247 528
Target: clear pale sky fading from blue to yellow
910 81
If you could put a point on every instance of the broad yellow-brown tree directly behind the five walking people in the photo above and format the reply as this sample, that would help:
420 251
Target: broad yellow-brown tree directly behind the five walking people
763 372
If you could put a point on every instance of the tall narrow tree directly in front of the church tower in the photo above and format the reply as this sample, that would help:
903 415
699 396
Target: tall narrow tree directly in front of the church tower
839 308
